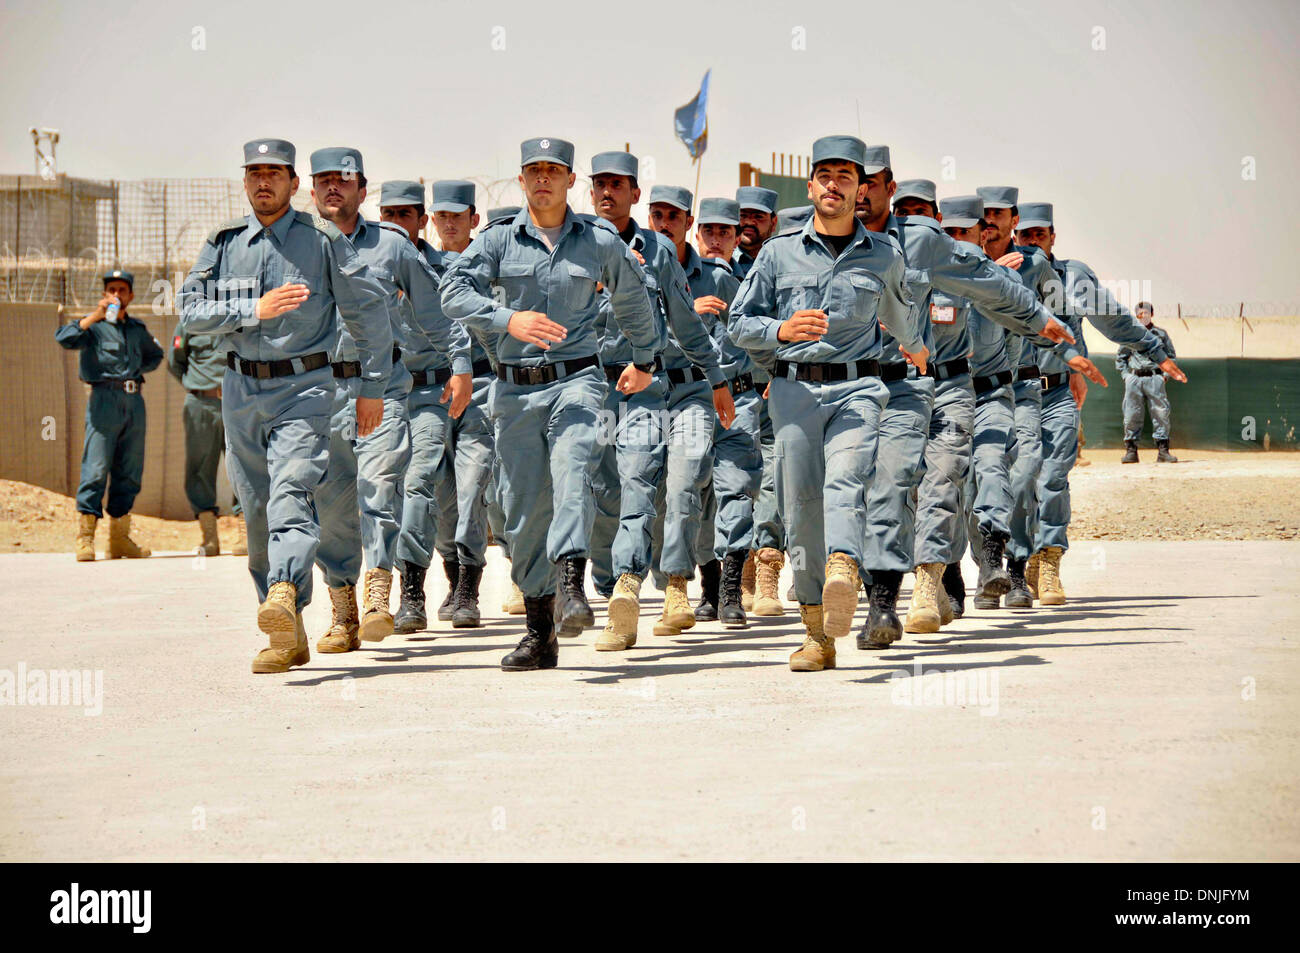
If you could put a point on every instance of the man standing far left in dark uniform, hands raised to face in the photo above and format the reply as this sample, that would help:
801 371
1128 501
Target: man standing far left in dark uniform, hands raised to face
116 353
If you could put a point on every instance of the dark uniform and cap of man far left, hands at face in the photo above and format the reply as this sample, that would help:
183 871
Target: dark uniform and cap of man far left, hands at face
115 357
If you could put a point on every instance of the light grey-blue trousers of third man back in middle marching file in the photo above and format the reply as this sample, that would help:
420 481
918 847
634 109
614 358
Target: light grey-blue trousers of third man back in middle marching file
690 463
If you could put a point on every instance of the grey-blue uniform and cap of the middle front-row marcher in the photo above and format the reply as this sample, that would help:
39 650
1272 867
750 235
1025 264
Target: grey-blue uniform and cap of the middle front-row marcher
548 402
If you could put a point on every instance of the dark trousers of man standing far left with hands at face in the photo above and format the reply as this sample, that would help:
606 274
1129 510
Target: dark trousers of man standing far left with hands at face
114 452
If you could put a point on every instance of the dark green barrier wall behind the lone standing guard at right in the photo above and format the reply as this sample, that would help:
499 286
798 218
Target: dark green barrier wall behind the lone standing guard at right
1228 404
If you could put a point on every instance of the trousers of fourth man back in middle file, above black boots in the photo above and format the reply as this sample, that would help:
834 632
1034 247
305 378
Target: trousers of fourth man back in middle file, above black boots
727 523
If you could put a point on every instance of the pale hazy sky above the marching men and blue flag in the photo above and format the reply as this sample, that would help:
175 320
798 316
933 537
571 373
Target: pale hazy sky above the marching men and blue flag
1141 144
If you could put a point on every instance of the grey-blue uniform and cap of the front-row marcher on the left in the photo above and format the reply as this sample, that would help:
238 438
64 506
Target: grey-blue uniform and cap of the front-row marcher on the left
279 391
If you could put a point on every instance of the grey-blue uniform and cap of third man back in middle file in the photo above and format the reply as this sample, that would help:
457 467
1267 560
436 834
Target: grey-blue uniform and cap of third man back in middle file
691 366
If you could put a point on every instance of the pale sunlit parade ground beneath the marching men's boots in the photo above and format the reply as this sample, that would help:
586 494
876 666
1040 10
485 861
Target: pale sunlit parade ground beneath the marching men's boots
1155 717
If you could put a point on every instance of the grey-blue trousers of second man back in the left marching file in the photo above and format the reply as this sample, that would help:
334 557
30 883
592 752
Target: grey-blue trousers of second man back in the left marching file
361 500
